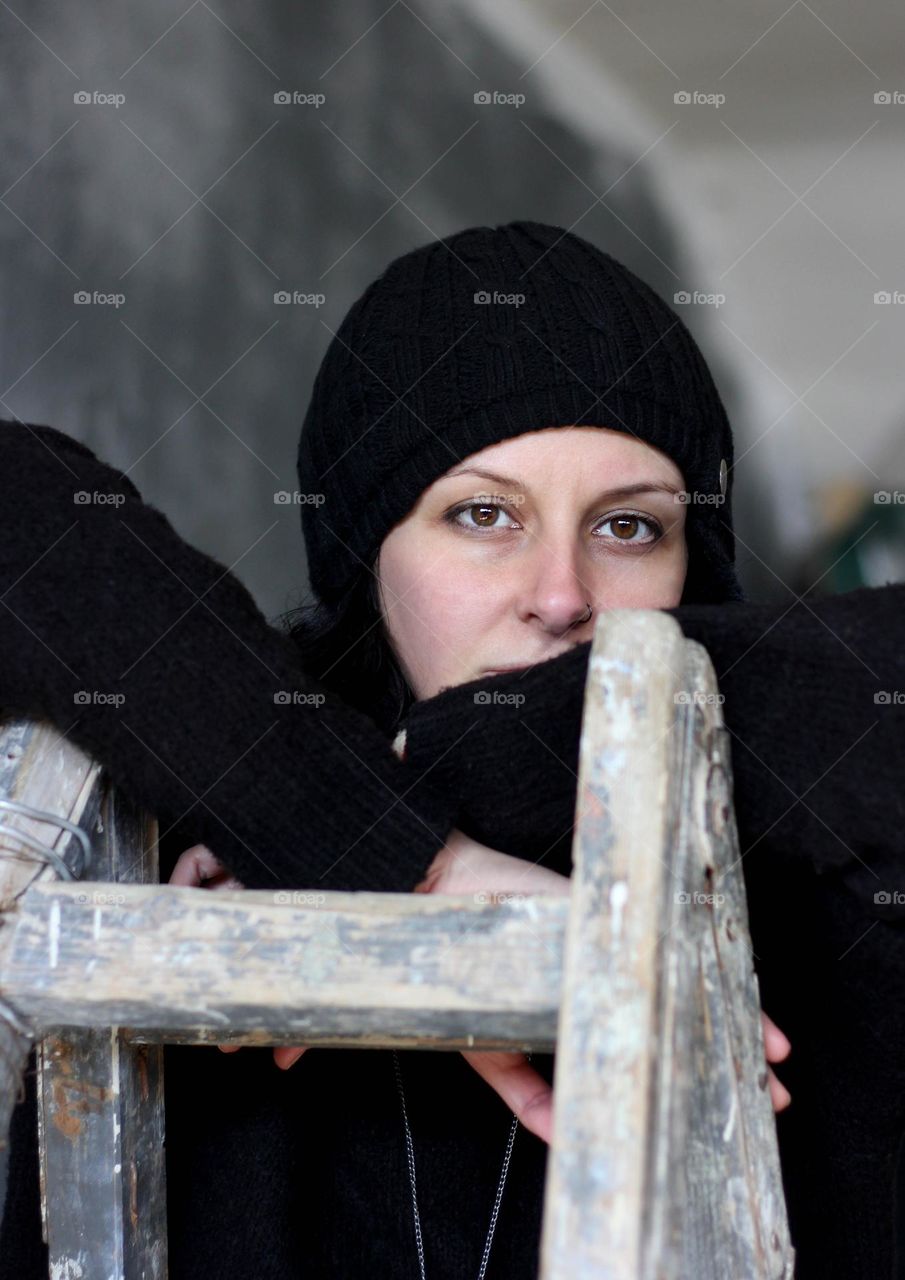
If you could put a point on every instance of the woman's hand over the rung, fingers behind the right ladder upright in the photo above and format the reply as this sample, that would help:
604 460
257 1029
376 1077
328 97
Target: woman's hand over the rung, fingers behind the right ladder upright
467 867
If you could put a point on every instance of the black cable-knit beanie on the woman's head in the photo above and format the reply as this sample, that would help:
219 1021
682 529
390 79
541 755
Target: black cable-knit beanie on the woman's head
481 337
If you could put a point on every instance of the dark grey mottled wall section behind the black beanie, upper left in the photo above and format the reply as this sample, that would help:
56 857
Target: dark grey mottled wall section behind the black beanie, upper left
198 198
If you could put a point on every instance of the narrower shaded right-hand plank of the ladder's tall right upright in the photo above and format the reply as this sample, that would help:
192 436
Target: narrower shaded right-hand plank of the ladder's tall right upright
735 1214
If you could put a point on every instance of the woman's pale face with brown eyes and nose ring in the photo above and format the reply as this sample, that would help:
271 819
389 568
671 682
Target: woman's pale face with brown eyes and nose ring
497 564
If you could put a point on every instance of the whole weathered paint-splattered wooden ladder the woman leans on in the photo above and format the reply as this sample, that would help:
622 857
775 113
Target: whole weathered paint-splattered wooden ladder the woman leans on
664 1163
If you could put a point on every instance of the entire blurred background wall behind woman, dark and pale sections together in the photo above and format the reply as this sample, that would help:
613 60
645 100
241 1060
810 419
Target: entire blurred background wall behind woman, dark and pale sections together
747 162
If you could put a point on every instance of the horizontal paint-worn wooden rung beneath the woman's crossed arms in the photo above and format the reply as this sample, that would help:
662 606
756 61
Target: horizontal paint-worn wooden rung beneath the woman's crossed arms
254 967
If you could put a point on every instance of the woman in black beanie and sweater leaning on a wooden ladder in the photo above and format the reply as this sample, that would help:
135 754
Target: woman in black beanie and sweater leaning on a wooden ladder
532 349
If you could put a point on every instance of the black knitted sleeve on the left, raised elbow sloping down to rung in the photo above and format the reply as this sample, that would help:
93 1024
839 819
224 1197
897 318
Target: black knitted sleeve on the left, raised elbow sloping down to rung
154 659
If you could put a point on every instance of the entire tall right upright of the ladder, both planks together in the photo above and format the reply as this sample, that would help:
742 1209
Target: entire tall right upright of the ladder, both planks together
664 1162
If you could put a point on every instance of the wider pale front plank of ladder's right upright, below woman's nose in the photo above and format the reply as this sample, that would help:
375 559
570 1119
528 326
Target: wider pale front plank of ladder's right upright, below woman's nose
614 1039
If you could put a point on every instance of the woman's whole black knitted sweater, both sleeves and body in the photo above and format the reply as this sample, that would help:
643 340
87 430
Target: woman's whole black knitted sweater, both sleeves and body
304 1172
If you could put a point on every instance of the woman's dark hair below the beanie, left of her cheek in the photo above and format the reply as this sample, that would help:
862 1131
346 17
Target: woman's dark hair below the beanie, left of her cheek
346 647
